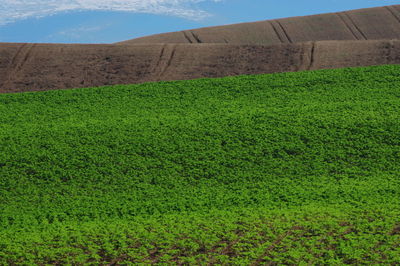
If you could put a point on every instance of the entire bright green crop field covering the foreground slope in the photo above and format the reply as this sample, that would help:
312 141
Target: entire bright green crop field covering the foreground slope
290 168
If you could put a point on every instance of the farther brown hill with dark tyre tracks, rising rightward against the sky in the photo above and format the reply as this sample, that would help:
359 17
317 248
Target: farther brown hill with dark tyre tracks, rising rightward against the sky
363 24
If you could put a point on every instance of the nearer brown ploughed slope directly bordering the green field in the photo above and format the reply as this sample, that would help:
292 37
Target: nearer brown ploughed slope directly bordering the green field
32 67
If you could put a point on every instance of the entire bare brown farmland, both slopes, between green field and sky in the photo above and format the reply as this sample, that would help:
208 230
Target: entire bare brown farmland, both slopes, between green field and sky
250 48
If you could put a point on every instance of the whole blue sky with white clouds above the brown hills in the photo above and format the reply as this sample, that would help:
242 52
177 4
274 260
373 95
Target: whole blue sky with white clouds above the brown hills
107 21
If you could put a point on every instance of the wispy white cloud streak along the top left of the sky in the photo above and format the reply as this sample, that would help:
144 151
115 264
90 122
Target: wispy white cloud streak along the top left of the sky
13 10
